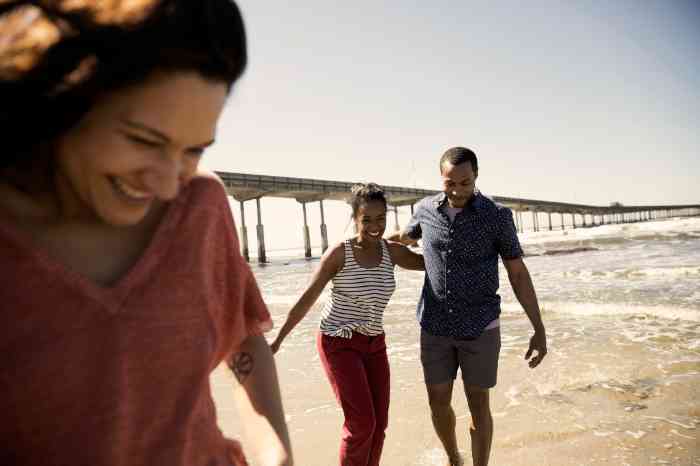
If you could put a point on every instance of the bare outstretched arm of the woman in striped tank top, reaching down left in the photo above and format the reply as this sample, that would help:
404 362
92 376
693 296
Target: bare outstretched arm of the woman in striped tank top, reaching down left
331 263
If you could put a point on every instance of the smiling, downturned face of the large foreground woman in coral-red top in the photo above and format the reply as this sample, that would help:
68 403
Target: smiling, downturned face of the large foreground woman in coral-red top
136 147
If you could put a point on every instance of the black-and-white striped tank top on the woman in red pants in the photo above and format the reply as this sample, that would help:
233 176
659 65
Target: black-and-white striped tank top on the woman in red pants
359 296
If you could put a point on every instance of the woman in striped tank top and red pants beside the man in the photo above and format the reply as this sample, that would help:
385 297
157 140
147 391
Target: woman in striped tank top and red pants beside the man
351 337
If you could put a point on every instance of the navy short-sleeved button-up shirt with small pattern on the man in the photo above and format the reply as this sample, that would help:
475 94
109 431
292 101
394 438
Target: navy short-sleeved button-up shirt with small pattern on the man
459 297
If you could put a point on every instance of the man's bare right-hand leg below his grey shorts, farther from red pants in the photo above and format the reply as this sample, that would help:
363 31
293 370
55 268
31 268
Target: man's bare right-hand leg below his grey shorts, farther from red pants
481 428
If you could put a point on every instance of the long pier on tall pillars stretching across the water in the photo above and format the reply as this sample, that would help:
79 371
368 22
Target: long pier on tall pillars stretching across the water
249 187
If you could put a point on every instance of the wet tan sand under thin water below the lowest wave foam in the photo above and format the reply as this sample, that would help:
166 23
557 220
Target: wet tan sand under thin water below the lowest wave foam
599 399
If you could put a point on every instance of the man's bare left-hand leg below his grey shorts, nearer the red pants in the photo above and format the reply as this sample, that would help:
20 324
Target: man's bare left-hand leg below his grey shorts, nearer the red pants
444 422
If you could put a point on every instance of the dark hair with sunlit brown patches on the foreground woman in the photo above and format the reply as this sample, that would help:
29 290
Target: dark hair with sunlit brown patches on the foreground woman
57 56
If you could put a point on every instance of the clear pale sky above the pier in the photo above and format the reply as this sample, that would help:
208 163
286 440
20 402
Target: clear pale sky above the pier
588 102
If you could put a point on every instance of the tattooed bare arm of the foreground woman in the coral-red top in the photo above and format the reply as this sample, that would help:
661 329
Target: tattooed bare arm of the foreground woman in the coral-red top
259 403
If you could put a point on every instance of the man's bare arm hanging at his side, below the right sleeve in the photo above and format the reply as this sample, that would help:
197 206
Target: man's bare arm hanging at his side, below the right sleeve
525 292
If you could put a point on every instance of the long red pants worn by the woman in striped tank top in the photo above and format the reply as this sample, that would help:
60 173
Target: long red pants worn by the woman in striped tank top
358 370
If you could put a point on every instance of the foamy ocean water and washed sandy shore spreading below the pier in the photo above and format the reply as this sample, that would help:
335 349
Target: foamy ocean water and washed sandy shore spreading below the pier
620 384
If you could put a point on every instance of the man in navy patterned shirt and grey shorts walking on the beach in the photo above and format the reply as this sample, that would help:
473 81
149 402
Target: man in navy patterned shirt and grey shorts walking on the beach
463 234
